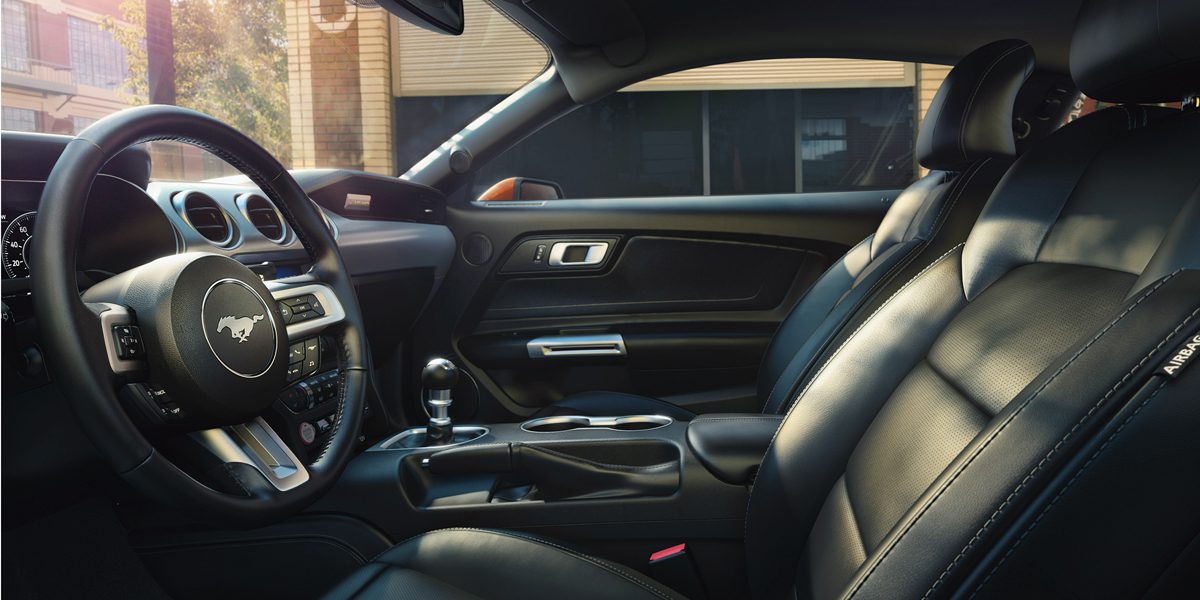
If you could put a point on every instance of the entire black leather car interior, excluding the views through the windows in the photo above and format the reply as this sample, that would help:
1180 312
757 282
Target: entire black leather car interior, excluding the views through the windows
334 383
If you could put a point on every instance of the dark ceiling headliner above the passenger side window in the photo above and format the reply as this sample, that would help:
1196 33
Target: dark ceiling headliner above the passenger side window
601 46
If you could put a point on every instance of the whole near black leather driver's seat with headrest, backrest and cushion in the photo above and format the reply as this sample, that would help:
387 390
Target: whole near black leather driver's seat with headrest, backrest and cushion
1019 421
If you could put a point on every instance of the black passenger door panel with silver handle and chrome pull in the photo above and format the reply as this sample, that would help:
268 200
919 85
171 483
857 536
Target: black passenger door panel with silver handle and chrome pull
695 289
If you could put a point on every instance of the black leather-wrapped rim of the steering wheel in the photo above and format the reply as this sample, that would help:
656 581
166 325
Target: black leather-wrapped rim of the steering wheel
75 345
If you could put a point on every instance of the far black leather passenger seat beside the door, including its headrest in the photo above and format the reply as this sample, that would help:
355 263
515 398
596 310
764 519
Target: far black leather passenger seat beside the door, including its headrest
968 143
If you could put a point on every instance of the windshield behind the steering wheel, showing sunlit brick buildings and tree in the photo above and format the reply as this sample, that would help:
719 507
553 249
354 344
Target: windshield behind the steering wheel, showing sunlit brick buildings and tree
319 83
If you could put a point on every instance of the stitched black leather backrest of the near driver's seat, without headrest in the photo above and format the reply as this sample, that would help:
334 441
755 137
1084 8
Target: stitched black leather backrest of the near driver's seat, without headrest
955 404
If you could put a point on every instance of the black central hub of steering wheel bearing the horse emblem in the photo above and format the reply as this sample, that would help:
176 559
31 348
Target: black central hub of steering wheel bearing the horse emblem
214 340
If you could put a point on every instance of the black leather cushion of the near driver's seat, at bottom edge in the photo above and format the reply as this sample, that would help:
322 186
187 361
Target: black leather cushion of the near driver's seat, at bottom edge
494 565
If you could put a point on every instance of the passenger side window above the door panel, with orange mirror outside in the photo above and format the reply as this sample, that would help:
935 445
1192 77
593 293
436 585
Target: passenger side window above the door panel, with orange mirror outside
767 127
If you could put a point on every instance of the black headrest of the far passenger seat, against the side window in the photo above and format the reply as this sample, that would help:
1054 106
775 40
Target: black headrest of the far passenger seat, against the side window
971 116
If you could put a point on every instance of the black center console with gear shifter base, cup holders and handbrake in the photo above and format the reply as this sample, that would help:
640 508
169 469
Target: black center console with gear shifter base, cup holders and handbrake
622 487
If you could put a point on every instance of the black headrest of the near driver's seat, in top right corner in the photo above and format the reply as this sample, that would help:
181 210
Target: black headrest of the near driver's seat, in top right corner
1137 51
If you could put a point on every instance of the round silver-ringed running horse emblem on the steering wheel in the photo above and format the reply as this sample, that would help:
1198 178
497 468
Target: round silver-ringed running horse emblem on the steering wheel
239 327
